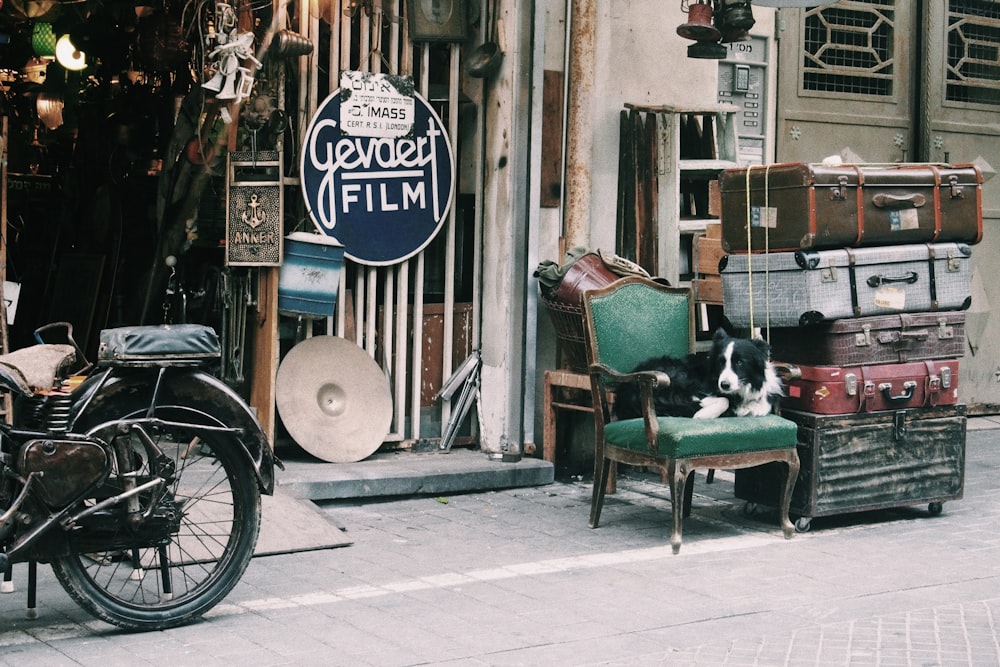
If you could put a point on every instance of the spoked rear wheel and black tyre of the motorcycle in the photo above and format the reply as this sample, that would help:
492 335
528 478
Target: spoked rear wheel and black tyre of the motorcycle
152 588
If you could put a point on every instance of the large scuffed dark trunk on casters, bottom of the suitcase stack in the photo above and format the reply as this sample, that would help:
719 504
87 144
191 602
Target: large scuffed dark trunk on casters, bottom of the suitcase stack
864 462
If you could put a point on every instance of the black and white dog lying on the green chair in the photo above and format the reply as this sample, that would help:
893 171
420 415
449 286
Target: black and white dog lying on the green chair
736 378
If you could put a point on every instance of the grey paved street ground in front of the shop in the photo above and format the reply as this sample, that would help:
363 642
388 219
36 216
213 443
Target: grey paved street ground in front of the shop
516 578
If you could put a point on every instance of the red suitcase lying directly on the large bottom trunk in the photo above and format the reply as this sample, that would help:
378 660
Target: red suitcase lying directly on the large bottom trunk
836 390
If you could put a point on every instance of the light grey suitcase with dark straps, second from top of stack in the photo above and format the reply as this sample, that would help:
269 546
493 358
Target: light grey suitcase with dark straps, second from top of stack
787 289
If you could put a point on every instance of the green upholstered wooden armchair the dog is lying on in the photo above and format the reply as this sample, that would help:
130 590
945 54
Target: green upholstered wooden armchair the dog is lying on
635 319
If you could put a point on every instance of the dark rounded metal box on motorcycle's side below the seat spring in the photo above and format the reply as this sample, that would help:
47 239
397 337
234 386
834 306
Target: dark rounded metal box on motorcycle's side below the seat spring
68 467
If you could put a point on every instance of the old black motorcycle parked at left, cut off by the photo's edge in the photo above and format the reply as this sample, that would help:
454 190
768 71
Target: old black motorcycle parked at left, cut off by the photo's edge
138 478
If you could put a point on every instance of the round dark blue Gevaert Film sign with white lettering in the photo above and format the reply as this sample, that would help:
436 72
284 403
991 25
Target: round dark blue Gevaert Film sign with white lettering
376 176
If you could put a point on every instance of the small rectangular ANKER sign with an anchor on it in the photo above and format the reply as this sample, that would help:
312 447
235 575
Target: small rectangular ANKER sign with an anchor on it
254 204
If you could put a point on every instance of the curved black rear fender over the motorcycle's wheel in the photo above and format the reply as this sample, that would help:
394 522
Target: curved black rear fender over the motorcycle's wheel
106 395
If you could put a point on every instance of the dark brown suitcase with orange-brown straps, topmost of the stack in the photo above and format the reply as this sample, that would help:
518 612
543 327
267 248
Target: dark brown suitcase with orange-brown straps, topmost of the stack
813 206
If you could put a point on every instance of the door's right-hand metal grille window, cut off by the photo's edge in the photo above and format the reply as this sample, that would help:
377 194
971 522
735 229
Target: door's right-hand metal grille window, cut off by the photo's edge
973 52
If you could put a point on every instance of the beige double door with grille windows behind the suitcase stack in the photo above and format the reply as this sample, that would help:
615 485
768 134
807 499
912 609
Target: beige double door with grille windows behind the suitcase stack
905 81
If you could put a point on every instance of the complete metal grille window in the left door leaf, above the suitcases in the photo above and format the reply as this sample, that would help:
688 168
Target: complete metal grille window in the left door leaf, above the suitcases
848 48
